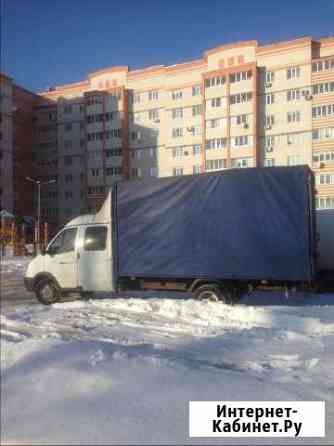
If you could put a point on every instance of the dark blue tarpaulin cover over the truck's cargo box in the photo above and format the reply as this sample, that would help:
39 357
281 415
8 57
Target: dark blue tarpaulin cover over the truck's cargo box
237 224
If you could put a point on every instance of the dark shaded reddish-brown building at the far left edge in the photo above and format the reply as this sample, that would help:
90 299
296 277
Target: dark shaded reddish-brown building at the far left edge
16 140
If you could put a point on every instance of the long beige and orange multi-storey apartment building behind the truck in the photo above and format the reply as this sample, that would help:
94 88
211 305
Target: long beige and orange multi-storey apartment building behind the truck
240 105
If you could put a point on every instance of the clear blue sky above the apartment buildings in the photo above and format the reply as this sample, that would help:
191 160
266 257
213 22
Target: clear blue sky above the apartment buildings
46 43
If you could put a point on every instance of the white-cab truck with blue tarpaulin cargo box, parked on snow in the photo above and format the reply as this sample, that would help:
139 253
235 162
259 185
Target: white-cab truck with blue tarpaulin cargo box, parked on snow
216 235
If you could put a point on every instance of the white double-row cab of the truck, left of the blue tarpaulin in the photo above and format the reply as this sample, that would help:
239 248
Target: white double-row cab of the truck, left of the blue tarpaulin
77 259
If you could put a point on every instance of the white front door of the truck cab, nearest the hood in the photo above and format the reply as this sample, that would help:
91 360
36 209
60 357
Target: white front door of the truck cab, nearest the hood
61 259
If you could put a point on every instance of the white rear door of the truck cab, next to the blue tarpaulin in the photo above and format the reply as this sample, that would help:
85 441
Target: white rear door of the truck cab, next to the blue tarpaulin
95 262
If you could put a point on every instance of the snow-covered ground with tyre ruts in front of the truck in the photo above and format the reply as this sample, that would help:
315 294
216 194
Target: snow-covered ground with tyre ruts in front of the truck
124 369
